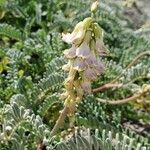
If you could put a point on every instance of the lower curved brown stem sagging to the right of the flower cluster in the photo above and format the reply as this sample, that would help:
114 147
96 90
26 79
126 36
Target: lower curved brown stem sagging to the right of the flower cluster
118 102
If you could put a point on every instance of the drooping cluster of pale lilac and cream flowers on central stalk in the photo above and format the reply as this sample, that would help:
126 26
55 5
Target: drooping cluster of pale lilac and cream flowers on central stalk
83 59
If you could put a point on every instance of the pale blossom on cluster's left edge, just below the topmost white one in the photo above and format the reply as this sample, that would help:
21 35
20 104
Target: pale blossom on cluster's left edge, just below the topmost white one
70 53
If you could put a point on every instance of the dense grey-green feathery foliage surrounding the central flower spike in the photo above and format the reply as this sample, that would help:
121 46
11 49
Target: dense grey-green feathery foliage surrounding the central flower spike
116 114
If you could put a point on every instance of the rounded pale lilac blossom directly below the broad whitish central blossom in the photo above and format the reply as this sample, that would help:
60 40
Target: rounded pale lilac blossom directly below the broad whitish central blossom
79 64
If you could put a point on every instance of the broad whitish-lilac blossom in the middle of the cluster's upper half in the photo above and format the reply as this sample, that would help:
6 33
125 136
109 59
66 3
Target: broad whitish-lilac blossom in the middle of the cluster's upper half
83 50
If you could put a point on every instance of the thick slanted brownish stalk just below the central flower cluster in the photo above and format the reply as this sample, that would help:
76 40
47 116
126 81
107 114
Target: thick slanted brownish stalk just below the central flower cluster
60 120
